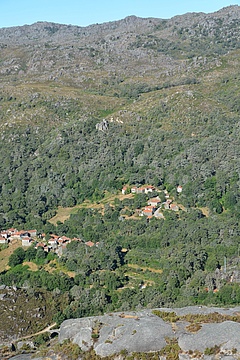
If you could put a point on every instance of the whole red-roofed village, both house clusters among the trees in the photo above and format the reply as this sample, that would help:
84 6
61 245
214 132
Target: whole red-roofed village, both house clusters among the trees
57 244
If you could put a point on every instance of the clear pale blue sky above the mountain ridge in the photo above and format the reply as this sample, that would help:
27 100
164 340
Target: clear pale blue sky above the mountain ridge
87 12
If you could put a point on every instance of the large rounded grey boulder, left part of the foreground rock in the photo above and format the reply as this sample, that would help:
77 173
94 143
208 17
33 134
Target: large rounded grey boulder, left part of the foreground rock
109 334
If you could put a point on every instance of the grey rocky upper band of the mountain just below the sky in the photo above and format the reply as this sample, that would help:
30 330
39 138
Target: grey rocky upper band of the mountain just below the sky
130 47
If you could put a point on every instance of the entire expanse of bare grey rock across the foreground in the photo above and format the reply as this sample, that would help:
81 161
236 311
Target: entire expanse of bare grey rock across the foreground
145 332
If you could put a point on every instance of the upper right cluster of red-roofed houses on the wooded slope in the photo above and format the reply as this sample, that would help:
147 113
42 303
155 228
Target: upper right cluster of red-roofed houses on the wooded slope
154 205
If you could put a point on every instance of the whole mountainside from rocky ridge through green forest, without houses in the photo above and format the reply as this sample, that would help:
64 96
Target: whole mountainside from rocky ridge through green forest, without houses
169 92
